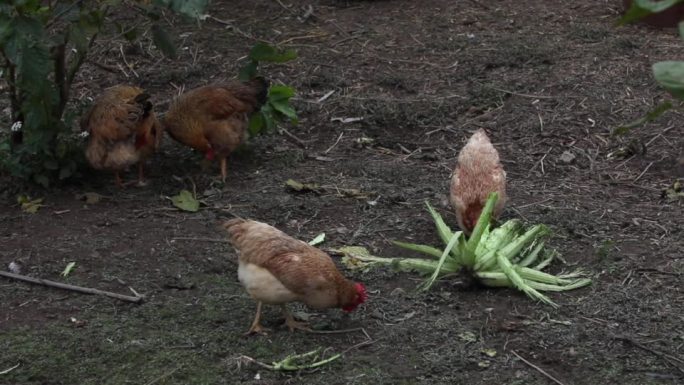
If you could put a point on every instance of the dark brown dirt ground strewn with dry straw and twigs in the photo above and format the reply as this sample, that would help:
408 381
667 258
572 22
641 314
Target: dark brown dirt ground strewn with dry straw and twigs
548 80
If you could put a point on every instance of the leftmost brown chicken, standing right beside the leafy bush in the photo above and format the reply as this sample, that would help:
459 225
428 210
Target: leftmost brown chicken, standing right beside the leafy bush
123 130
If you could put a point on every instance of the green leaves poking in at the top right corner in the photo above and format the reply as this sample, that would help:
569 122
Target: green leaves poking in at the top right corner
669 74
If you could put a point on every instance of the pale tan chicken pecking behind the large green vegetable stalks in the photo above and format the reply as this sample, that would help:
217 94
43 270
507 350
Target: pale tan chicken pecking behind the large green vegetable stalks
478 173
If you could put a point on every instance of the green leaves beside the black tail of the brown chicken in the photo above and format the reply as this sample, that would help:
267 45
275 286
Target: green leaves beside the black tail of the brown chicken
277 107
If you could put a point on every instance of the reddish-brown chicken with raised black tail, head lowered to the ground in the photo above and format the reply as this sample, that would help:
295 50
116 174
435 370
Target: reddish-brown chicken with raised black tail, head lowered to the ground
213 119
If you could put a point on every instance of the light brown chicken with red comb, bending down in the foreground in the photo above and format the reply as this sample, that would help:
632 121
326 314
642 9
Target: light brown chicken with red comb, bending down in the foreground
276 269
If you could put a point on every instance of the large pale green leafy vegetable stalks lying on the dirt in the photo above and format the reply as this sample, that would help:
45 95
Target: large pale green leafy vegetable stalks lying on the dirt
506 256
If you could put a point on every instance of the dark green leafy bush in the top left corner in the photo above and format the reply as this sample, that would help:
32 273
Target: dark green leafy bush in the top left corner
43 45
